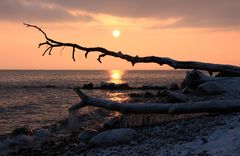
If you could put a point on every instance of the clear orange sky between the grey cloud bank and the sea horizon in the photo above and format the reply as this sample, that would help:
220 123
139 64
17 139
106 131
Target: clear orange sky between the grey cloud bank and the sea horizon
141 35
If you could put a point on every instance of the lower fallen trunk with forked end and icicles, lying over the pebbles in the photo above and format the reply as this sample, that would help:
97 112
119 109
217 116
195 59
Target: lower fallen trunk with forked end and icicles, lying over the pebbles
159 108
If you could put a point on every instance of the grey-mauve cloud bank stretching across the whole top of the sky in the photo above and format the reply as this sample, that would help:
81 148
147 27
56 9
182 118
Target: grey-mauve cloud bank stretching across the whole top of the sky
193 13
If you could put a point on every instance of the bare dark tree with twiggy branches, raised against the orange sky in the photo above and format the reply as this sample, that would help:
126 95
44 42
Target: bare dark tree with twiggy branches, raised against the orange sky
210 67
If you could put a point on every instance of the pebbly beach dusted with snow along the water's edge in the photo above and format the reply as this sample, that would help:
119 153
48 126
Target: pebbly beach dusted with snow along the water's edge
190 136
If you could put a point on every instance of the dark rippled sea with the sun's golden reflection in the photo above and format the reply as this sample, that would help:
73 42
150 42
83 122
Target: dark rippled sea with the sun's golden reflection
27 99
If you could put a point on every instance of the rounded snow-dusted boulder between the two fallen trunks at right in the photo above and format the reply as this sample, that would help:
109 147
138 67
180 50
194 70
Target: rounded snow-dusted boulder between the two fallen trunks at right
210 88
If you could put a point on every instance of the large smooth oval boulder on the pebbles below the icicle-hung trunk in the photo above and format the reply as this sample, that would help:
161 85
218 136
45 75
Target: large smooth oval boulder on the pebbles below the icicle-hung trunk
113 137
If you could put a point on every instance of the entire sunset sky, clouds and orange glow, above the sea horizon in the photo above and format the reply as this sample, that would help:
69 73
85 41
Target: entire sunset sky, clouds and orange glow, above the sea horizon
196 30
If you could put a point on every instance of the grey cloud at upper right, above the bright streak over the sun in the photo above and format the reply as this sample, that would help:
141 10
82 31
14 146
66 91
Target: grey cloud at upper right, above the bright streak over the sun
194 13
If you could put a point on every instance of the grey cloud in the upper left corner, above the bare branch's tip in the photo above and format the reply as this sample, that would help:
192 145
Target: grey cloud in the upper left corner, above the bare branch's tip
29 10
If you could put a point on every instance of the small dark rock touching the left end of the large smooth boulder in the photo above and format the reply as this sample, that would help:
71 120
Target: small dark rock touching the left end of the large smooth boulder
87 135
